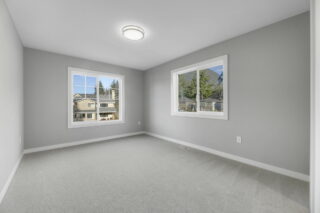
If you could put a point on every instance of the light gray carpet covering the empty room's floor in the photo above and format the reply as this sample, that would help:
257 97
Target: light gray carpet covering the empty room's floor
142 174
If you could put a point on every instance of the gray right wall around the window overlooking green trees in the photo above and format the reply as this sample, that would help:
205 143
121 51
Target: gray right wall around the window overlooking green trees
268 97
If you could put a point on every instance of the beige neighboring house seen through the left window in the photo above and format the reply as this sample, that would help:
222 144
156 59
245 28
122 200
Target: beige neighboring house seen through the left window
85 109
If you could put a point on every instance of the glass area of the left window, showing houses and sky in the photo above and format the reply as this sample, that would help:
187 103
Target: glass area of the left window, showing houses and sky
95 97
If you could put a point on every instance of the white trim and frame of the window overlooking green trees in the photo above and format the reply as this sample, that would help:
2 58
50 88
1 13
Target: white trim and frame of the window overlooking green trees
196 67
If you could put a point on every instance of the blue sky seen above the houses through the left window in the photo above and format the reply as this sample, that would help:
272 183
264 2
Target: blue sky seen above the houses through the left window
79 84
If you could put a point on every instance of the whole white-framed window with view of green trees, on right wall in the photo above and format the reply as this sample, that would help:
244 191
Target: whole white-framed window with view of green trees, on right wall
201 90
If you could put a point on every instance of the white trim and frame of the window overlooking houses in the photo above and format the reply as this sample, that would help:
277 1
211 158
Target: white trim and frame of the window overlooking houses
71 124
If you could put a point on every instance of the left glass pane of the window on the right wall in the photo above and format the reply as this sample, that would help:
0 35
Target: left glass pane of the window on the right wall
187 92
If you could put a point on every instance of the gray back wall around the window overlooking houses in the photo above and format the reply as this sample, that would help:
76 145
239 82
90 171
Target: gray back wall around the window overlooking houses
46 99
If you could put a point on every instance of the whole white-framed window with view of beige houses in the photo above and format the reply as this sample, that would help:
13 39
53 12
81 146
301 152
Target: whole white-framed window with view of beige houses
95 98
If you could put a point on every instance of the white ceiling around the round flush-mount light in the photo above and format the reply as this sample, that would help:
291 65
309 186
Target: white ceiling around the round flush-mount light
92 28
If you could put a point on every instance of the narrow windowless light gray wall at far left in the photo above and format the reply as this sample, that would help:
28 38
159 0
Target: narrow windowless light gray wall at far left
11 95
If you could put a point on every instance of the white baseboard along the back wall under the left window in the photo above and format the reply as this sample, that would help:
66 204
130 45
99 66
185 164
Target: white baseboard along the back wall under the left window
76 143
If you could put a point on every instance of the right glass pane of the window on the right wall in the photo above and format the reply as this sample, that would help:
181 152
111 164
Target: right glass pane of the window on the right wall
211 89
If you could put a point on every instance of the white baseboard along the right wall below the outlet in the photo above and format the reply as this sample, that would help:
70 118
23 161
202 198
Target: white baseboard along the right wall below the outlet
268 167
